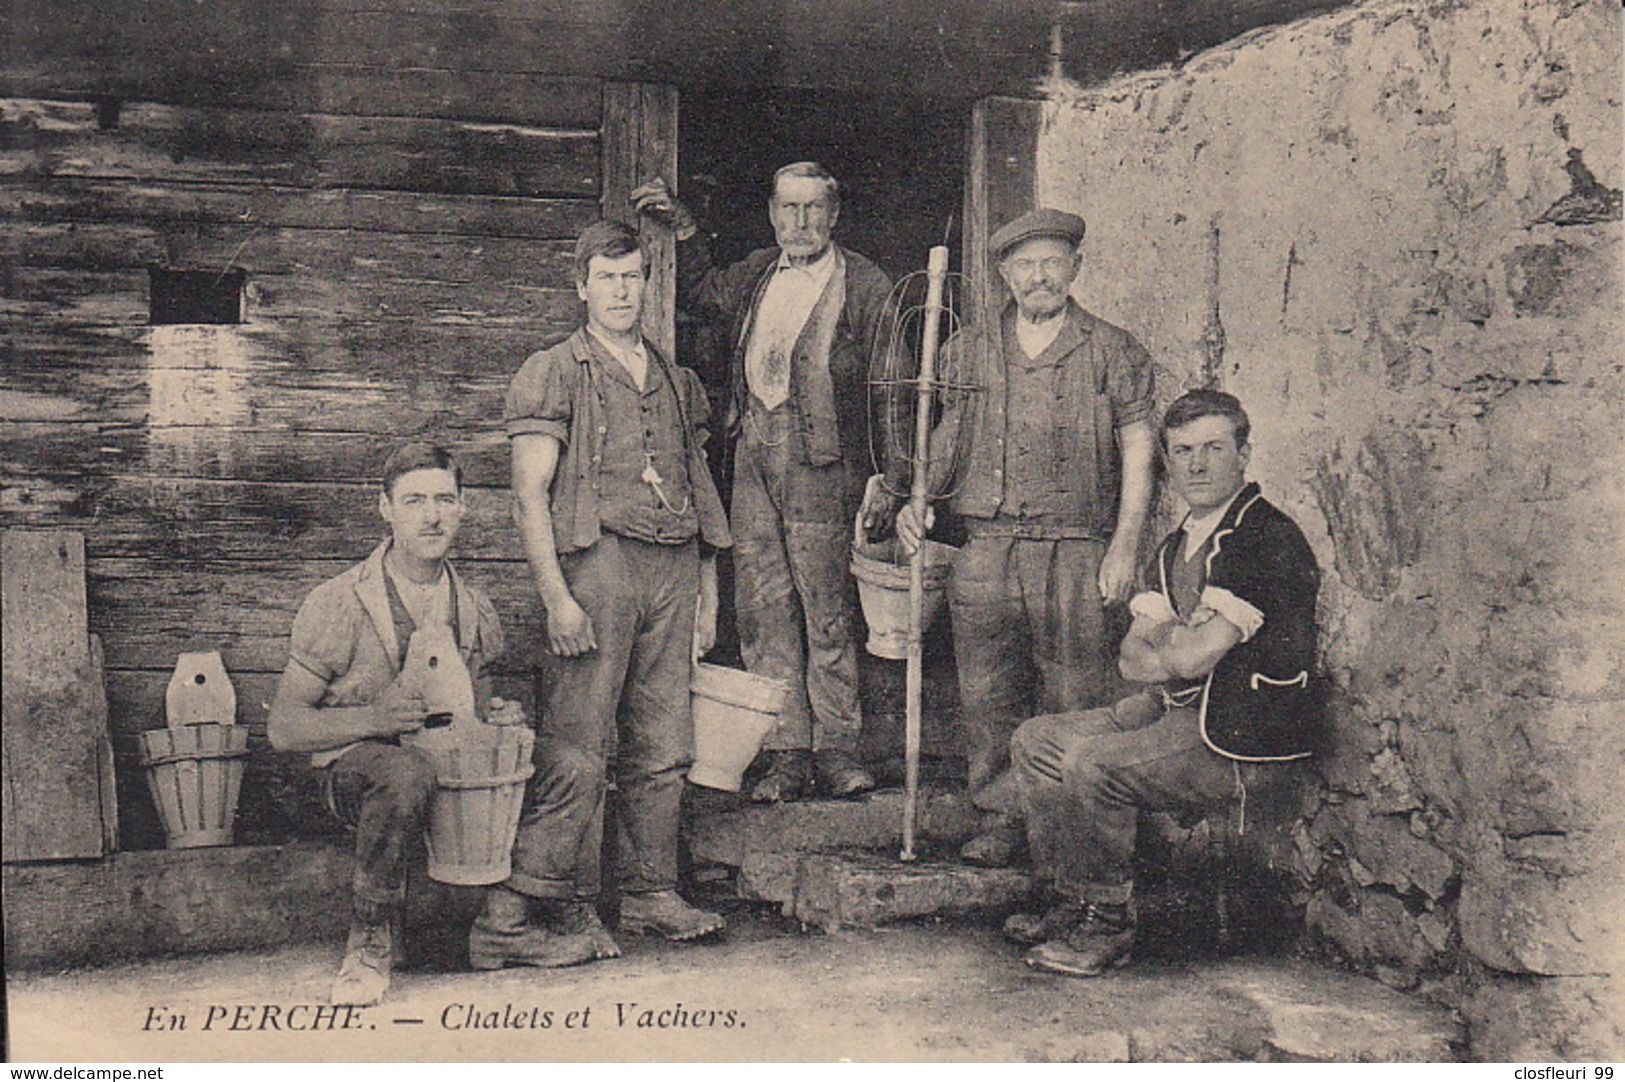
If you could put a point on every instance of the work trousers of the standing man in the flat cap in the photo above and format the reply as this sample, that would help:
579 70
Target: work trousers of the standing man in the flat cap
1029 638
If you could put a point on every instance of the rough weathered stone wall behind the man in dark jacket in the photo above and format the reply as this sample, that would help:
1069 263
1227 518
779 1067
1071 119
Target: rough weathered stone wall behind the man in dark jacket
1395 233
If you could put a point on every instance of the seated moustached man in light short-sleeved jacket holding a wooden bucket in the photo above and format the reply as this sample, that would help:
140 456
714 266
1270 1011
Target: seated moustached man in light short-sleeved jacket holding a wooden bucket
345 701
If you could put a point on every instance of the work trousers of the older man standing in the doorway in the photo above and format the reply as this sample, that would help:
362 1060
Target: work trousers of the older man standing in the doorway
795 599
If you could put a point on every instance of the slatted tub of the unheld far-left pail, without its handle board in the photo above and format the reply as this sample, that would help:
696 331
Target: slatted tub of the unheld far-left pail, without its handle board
196 776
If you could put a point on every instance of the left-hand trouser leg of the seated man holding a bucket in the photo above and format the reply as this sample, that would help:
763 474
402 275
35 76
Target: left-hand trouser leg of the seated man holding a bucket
383 792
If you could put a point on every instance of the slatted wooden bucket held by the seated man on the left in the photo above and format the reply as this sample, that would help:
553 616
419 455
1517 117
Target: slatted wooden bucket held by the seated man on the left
482 773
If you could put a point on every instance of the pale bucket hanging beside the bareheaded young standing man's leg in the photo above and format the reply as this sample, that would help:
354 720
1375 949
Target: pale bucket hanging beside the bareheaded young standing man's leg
734 714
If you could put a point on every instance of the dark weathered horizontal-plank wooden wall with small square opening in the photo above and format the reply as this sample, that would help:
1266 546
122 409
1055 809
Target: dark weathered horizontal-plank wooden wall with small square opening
399 194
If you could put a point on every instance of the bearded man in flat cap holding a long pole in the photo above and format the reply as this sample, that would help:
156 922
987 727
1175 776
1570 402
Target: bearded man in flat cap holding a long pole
1054 488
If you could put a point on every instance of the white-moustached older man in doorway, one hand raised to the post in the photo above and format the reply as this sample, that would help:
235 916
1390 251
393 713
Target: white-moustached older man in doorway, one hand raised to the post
804 318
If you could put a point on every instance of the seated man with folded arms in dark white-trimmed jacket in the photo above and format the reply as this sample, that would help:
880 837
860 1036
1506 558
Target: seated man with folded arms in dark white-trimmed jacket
1228 633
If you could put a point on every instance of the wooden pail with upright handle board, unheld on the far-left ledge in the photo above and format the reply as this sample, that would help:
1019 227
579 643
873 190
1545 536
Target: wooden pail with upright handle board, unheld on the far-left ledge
194 768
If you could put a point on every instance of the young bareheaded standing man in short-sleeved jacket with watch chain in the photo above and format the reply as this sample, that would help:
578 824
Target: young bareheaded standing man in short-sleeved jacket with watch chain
622 521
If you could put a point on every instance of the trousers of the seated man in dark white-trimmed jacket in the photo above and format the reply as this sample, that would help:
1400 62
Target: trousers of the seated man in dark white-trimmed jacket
1086 777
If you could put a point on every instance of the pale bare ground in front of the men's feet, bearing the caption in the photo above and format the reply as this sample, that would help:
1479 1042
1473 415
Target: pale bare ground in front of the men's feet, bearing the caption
768 992
